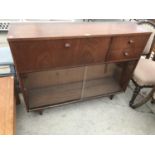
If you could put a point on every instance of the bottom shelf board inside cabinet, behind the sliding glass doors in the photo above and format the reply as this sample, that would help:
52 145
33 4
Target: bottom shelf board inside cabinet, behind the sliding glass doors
59 94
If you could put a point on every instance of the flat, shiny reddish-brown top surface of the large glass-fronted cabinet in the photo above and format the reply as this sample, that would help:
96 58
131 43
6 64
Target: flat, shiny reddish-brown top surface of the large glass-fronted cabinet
70 30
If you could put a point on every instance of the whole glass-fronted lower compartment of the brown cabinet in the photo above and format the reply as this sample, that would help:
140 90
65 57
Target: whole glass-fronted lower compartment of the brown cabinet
52 87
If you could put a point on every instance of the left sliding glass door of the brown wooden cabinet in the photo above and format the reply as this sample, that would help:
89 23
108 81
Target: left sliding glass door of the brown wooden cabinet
53 86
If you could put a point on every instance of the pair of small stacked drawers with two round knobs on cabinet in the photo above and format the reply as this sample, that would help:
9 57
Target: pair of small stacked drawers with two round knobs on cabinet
127 47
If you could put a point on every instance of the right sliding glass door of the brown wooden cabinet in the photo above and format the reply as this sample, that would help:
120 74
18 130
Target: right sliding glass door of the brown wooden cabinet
102 79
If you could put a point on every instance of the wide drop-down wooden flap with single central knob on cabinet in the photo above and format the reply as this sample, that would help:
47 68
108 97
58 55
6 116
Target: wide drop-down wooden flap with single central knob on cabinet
43 54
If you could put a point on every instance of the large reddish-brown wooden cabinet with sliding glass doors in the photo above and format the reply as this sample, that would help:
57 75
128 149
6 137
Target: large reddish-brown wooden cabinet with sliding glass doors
69 62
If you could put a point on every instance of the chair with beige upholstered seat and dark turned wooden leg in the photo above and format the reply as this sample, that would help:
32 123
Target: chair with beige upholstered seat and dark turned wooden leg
144 73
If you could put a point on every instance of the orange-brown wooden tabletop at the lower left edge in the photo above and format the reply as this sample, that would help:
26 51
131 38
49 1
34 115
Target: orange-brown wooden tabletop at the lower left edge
7 106
